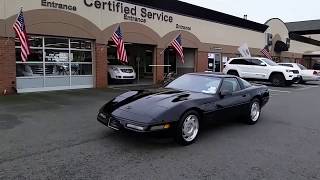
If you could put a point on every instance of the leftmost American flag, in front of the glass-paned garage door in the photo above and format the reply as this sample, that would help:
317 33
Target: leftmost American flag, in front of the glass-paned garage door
20 29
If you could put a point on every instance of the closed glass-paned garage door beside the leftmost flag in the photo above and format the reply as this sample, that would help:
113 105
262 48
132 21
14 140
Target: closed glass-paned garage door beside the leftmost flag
58 62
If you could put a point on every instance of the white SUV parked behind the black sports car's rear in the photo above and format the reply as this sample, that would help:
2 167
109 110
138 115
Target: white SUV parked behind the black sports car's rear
262 69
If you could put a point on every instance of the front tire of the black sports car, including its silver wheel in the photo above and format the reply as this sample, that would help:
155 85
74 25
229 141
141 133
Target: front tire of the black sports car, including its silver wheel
188 128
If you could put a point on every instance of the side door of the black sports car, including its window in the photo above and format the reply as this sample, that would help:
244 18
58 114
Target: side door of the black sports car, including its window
231 105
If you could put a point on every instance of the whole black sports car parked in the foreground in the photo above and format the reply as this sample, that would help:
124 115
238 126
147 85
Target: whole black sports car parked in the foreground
183 104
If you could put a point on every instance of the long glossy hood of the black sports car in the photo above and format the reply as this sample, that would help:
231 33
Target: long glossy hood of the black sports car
146 105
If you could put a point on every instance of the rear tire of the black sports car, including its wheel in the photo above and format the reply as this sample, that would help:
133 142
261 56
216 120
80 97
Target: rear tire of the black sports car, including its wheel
254 112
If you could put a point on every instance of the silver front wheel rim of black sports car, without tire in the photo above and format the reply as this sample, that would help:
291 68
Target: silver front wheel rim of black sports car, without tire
190 128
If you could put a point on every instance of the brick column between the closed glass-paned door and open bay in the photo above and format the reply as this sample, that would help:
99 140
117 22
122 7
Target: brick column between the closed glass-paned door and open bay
101 66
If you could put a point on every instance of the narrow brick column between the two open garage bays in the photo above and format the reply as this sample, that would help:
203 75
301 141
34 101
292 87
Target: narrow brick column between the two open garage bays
158 70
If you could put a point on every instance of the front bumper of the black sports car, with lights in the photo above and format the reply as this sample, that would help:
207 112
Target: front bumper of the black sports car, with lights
119 124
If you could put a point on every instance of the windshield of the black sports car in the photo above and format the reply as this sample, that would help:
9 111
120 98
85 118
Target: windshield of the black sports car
196 83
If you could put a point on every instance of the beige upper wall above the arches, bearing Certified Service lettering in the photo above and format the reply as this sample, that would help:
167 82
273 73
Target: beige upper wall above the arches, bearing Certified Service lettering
206 32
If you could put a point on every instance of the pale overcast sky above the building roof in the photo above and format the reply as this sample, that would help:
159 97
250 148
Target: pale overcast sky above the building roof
261 11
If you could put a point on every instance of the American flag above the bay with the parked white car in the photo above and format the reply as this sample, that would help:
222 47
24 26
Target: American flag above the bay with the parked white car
118 40
